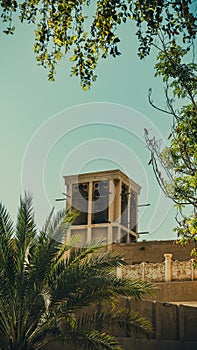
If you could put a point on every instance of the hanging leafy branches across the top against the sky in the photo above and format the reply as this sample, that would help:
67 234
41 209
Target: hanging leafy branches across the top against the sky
66 29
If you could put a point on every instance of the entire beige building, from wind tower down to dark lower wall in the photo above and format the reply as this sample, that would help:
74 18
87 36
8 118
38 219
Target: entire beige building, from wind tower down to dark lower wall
107 204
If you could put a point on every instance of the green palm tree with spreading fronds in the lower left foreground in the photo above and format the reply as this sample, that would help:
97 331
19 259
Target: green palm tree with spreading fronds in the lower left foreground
44 291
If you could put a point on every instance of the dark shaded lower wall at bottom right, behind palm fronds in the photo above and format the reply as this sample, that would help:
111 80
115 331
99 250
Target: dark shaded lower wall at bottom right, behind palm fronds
174 327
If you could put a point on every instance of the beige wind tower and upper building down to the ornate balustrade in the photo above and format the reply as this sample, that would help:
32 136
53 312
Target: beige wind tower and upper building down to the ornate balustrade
107 206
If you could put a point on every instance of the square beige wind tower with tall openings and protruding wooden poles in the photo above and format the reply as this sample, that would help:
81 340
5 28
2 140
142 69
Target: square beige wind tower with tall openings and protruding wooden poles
107 204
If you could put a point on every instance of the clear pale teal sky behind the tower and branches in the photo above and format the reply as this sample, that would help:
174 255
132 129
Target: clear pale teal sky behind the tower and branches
101 128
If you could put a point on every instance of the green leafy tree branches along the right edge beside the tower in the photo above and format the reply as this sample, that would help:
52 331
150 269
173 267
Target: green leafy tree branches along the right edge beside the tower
175 166
